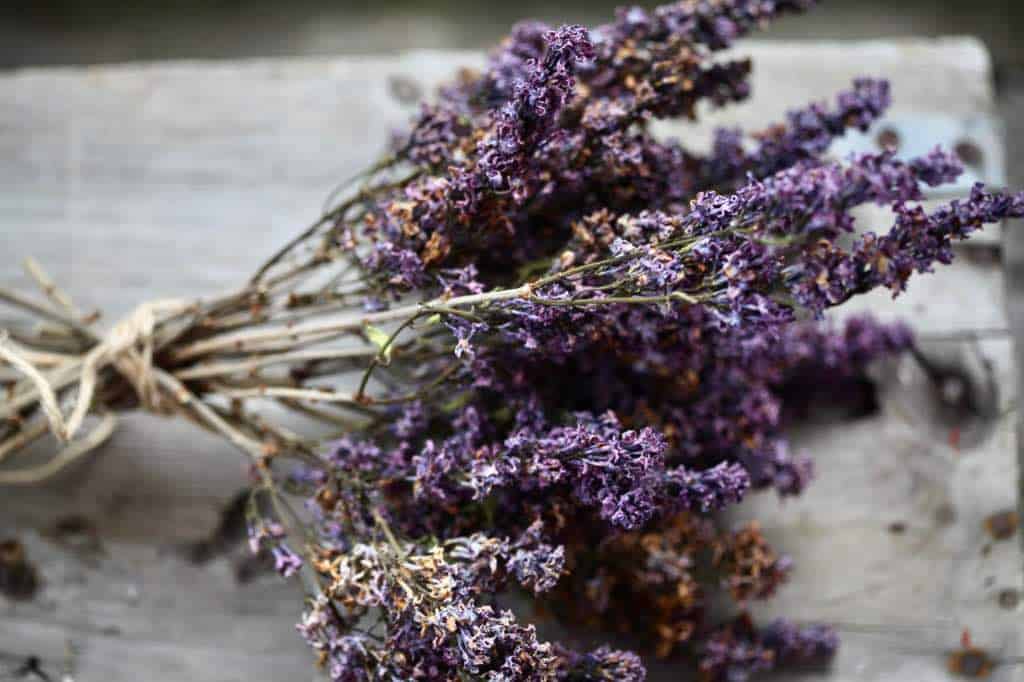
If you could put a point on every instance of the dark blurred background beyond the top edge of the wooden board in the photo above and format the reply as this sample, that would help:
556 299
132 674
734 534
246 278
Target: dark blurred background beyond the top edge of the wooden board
84 32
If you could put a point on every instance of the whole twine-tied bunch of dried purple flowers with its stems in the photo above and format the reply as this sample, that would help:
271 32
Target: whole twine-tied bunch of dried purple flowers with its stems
556 346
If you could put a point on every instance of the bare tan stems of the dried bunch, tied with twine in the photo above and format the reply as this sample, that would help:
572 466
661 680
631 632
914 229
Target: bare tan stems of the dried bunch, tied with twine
295 336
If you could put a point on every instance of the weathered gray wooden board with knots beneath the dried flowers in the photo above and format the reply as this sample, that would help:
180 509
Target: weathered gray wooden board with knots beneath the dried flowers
133 183
